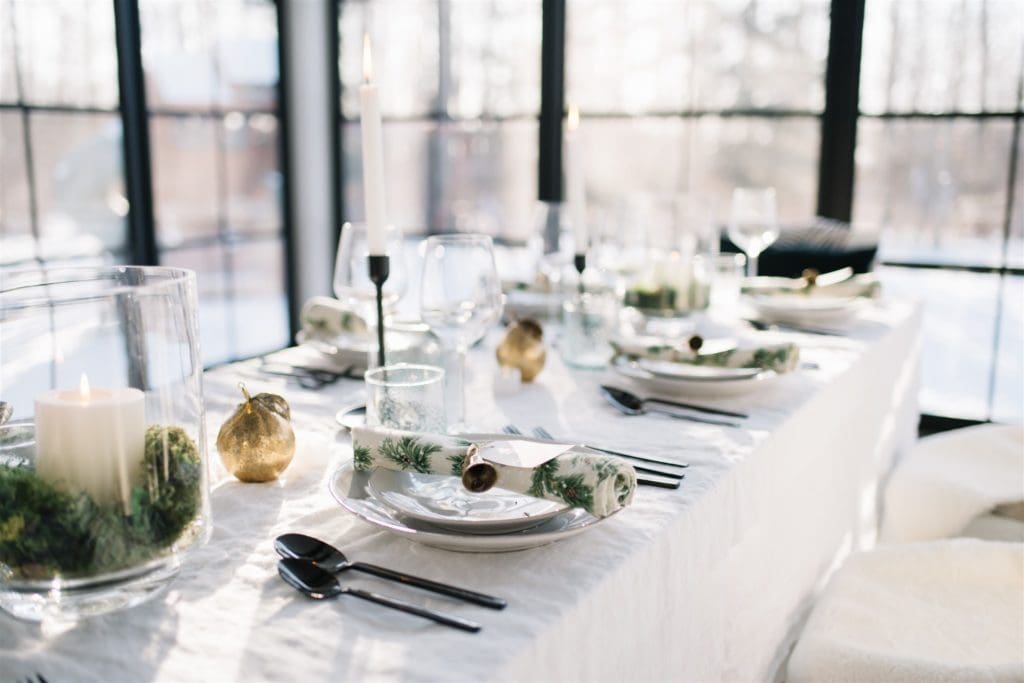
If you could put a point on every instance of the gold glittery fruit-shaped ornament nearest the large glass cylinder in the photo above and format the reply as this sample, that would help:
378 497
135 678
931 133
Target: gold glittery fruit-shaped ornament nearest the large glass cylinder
258 443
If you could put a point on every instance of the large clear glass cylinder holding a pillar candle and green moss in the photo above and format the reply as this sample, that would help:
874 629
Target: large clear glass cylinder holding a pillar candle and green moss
104 479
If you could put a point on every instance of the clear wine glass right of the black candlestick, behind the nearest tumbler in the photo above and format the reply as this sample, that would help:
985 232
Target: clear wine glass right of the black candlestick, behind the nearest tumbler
460 300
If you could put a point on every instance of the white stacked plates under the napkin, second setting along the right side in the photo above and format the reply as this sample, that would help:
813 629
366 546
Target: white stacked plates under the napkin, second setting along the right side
675 379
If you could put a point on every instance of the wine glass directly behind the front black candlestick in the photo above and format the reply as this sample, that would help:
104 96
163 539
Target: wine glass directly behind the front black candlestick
352 274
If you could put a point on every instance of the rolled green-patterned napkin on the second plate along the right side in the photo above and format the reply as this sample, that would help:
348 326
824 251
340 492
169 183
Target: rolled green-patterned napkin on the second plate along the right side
780 358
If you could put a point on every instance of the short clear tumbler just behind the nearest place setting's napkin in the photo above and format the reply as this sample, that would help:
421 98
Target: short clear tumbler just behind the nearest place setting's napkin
407 397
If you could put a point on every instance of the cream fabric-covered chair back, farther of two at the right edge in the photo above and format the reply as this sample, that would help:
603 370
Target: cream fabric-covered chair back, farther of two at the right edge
949 480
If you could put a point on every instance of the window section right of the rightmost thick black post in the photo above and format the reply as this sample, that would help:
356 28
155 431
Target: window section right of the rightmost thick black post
940 175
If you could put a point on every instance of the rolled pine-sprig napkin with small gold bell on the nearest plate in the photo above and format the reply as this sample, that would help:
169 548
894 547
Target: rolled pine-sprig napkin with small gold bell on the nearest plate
600 485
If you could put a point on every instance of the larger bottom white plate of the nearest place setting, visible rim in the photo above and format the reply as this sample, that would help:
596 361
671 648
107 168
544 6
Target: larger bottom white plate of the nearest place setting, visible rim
349 488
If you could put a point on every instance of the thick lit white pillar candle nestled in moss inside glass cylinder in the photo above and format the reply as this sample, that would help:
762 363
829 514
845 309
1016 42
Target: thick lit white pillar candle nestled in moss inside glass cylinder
92 441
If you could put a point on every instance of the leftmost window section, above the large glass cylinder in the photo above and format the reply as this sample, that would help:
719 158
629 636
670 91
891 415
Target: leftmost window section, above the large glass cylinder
62 185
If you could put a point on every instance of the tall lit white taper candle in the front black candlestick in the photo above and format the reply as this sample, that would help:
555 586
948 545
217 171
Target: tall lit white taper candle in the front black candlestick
373 158
